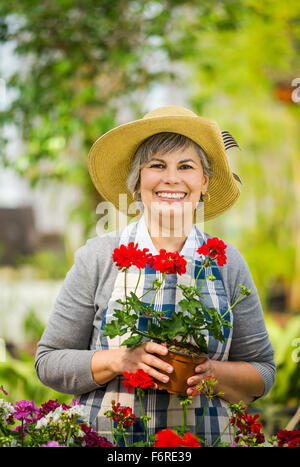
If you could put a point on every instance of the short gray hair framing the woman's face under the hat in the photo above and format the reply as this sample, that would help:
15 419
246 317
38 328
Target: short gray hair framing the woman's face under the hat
163 143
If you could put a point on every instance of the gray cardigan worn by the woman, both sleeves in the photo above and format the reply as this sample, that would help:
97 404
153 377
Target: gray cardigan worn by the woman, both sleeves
66 346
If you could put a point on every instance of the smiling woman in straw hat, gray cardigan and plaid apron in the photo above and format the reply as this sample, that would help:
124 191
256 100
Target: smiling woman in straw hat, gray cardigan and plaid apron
174 162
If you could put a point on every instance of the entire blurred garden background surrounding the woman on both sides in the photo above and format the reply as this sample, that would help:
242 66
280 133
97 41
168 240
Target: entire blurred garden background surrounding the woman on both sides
75 69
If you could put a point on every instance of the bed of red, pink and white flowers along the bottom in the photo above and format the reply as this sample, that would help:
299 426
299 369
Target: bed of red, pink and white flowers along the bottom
59 425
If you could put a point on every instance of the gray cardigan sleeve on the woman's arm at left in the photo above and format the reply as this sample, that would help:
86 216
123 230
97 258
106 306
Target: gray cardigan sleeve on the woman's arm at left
63 355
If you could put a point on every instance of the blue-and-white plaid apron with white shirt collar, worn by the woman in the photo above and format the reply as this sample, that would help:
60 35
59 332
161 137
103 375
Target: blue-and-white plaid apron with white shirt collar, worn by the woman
163 408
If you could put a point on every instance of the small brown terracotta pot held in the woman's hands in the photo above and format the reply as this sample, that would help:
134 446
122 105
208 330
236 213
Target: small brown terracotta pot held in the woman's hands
184 367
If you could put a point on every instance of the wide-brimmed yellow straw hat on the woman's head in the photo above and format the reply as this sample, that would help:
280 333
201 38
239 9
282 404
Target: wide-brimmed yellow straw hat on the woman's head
110 156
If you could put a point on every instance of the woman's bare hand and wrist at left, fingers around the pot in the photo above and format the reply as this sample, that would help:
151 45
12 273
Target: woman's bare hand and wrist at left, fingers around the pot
107 364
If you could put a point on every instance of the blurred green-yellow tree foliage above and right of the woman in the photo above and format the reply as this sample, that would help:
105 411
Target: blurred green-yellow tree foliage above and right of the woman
85 61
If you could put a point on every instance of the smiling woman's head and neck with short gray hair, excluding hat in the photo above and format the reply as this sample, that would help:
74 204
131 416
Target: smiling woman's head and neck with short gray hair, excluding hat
170 173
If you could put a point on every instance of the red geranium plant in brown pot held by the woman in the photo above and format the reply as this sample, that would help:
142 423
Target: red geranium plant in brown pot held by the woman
182 332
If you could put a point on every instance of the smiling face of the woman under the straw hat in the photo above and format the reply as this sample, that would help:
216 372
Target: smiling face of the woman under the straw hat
173 181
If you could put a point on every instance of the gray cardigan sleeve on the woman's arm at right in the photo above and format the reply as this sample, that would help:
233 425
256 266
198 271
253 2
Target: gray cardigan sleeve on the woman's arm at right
250 340
